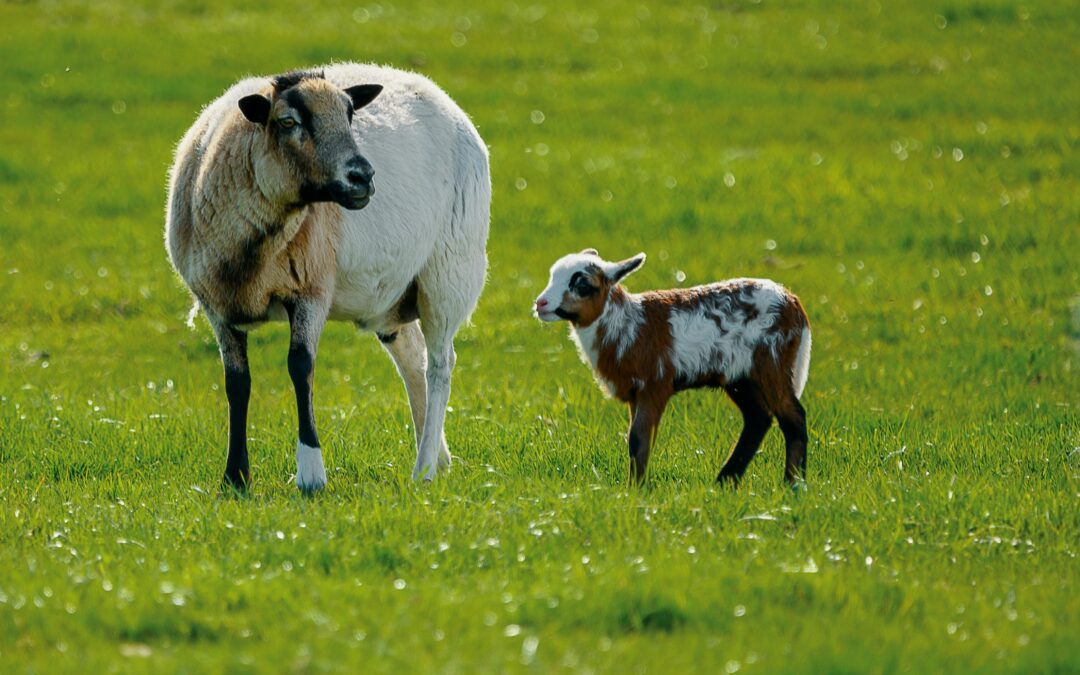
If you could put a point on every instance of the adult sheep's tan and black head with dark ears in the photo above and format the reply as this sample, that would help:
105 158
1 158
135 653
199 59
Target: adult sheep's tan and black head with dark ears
308 153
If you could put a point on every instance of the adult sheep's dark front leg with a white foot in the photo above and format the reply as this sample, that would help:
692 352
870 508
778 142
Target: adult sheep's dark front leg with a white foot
307 318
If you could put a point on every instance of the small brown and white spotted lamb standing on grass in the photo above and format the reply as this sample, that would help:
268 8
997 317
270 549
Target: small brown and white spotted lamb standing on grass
749 336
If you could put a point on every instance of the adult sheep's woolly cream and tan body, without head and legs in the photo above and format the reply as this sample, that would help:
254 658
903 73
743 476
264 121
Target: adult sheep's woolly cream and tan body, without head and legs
429 221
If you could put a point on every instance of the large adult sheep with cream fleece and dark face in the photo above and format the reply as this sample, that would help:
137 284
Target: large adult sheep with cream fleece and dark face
272 215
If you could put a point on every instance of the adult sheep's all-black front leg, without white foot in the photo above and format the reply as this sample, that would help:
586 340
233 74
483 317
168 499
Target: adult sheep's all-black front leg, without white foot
238 388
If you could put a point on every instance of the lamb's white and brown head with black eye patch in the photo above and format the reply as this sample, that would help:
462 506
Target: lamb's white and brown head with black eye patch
580 287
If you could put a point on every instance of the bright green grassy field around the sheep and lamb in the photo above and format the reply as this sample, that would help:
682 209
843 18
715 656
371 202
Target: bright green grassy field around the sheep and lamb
910 169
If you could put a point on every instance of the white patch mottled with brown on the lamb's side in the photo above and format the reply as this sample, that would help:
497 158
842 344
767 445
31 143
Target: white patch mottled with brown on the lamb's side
720 334
